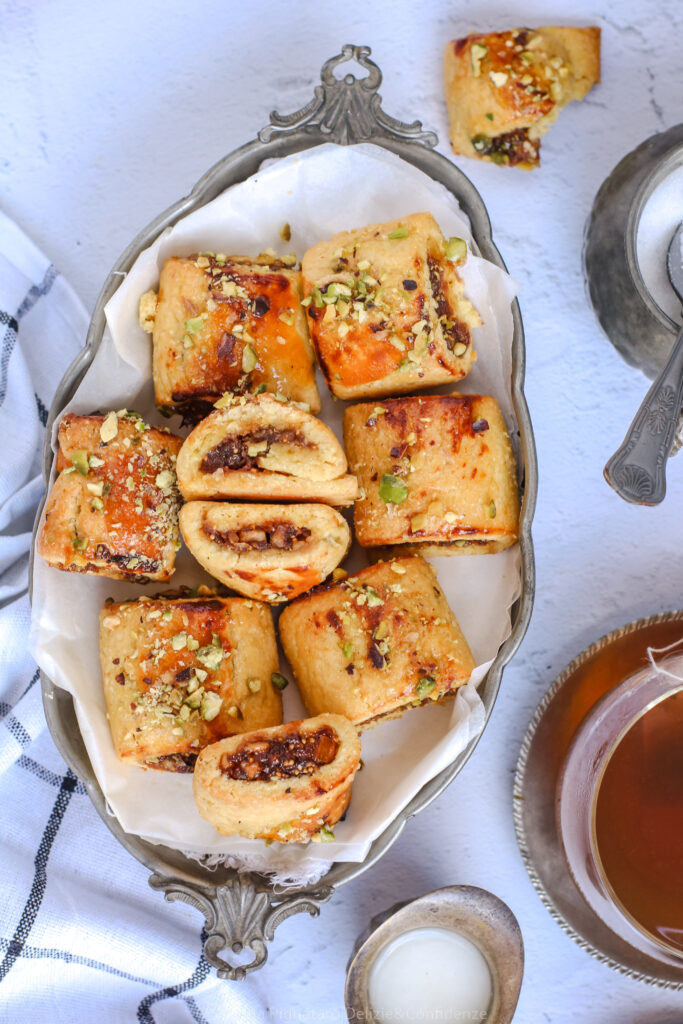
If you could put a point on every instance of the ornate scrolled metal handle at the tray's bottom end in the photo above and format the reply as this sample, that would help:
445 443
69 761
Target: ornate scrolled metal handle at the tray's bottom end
240 915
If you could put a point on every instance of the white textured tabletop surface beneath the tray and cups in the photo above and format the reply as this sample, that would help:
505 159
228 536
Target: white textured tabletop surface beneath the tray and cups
109 113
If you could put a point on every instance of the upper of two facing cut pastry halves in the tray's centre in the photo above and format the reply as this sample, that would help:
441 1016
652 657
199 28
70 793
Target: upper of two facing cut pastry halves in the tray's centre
261 448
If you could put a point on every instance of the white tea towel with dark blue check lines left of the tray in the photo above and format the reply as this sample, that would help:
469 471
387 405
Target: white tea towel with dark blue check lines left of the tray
82 936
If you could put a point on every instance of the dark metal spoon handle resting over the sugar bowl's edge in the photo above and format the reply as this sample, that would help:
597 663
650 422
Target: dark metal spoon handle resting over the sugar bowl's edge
636 471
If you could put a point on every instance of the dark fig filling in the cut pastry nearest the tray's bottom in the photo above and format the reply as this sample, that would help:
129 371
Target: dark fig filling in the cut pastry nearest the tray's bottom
262 760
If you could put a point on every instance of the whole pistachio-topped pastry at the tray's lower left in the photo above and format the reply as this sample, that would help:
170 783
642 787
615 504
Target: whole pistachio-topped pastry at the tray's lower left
183 673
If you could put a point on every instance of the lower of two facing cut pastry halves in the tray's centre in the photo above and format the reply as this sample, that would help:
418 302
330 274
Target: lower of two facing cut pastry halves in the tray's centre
270 552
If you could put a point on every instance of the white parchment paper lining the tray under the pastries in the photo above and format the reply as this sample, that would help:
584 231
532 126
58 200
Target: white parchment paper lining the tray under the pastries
319 193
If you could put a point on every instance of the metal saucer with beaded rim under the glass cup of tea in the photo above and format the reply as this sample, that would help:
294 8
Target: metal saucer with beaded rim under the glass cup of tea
570 699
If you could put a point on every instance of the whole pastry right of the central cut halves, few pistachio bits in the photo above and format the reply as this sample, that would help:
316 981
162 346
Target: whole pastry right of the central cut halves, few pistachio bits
438 472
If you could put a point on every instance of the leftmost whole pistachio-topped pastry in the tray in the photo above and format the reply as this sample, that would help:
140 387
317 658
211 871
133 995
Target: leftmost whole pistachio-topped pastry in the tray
113 509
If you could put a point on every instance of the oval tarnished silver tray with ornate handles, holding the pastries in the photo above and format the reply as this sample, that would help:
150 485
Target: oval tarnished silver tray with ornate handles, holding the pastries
244 910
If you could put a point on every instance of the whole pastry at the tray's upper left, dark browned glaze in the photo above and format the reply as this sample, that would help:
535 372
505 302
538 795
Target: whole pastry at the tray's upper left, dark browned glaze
229 324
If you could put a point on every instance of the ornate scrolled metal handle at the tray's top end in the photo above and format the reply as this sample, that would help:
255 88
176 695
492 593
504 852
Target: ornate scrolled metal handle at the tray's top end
348 110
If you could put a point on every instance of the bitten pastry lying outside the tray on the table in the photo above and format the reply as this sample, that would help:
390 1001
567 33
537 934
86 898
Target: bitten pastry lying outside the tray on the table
505 90
